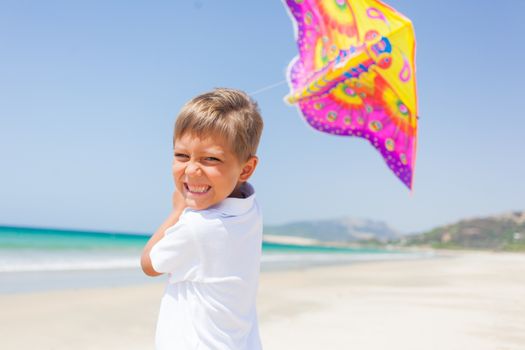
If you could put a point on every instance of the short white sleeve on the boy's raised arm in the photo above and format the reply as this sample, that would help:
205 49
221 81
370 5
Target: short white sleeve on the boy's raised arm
177 253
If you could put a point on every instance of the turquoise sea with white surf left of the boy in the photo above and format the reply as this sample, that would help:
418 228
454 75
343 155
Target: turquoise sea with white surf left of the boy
32 249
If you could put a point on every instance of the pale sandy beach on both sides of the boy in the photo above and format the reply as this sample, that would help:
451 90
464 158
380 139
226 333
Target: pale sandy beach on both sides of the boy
456 301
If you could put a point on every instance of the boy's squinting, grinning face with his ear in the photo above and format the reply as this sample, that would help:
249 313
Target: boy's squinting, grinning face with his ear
206 171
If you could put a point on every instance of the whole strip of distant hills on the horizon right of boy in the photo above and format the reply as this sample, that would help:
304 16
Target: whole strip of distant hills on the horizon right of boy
502 233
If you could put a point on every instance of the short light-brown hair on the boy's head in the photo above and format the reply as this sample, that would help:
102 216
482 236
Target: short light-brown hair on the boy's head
229 113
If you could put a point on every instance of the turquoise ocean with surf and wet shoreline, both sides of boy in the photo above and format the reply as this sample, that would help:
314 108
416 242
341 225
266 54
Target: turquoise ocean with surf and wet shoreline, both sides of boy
42 259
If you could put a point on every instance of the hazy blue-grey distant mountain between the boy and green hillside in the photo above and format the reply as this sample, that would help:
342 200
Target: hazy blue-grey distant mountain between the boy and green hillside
343 230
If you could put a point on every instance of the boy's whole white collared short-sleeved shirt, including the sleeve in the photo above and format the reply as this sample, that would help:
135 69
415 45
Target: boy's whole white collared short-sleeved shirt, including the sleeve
213 260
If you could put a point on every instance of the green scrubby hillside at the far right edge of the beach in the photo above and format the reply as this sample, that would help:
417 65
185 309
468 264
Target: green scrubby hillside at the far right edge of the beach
500 232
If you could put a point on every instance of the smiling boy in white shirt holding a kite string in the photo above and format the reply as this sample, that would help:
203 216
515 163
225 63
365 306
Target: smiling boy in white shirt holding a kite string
210 245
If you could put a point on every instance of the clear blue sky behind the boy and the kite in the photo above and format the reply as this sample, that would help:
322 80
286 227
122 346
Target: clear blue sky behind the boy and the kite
89 92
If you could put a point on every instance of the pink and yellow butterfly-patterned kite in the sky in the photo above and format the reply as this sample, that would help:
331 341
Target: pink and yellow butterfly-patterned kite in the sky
355 75
